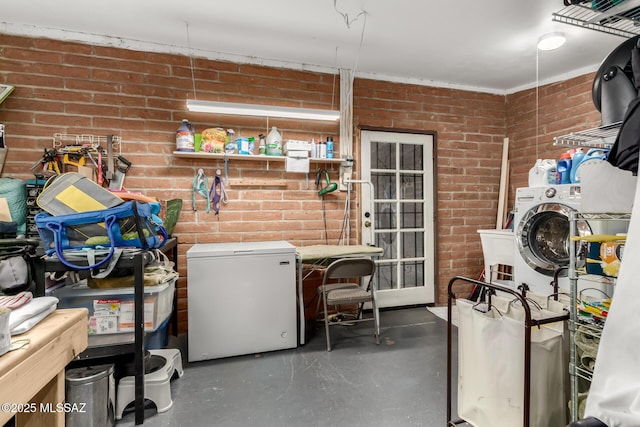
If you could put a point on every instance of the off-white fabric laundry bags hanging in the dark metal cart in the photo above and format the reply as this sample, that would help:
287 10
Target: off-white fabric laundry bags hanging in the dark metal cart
491 369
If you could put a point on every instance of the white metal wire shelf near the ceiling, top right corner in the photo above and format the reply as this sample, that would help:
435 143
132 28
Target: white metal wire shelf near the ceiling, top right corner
622 19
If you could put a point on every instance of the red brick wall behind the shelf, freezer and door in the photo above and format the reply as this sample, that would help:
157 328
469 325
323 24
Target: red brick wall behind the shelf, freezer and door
76 88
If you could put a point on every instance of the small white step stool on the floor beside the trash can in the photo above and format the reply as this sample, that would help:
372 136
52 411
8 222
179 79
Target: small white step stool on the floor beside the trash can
157 387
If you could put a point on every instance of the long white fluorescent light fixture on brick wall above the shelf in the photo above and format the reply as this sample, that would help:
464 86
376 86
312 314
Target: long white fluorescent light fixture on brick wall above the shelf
261 110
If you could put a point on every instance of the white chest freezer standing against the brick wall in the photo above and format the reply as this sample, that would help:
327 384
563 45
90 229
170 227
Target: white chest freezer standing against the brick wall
242 298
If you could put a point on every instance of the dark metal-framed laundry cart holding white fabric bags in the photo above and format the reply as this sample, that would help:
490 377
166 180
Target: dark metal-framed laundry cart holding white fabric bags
511 368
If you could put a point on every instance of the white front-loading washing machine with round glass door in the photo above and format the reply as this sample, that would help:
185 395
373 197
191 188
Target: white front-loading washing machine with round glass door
542 235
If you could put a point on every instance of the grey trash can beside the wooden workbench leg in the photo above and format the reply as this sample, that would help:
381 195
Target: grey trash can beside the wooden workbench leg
90 396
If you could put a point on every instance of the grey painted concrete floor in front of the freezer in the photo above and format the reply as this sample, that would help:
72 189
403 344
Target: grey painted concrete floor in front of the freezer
401 382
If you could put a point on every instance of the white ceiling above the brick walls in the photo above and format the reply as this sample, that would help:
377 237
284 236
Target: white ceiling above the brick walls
485 45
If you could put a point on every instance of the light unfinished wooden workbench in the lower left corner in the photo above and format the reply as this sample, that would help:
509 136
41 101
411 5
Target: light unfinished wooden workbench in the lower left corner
34 374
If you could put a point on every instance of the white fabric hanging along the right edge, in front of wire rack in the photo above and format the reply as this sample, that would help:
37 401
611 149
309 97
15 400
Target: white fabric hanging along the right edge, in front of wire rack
614 397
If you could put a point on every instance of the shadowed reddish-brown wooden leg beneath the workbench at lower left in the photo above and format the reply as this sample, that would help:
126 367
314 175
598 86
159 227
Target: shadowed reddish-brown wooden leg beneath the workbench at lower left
48 412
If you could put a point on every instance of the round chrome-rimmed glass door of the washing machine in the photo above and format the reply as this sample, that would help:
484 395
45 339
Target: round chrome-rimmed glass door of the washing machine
543 237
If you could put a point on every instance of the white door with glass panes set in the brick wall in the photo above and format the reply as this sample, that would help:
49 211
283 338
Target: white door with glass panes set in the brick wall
400 167
